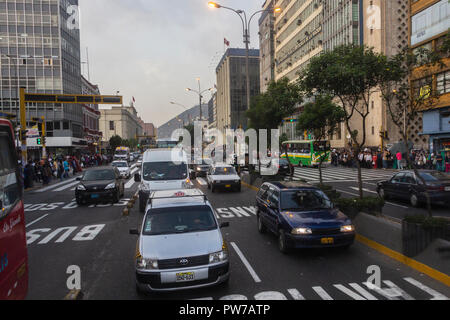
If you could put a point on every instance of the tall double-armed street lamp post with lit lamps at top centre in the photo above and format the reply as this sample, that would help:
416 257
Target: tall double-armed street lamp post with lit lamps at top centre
246 31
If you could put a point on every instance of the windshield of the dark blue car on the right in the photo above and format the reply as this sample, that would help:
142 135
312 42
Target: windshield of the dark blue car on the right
304 200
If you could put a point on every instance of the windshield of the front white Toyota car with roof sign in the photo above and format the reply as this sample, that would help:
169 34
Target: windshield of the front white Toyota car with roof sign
179 220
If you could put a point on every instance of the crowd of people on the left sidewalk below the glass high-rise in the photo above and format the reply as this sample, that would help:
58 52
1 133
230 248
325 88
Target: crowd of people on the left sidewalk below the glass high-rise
60 167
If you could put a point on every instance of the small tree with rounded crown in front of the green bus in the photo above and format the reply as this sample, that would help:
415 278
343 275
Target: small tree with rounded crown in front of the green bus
320 118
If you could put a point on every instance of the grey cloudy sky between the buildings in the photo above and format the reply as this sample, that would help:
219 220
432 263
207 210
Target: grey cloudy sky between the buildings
153 50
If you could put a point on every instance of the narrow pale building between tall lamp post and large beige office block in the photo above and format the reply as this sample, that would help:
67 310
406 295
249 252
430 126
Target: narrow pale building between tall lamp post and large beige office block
267 45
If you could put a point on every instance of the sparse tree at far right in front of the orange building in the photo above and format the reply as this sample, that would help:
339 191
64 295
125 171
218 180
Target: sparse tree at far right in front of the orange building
405 101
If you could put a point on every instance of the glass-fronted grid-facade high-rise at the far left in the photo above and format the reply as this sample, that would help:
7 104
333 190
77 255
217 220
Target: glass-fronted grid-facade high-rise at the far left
40 50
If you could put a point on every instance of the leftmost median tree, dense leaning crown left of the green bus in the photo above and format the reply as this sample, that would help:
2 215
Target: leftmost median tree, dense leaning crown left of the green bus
268 109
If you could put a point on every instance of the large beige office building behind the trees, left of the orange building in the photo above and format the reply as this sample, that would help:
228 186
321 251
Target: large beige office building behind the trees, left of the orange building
308 27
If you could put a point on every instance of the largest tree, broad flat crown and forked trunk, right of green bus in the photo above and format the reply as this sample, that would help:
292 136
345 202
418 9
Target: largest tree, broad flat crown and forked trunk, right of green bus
350 74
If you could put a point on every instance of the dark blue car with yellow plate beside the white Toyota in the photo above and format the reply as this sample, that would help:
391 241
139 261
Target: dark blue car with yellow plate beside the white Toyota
301 216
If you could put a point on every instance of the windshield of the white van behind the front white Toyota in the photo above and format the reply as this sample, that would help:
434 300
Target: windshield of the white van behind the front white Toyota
154 171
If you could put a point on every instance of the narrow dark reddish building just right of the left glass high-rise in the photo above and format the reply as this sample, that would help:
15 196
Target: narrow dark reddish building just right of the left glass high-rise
91 116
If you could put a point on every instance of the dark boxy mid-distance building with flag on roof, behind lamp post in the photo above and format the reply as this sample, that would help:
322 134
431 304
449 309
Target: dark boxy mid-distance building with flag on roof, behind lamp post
231 87
